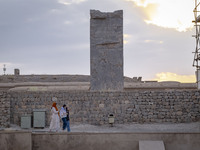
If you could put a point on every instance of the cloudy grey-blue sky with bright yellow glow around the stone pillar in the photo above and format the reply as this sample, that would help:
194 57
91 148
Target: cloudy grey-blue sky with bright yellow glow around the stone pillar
53 37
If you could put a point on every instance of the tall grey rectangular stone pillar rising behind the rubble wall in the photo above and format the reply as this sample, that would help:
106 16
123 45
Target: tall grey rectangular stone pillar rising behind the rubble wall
106 50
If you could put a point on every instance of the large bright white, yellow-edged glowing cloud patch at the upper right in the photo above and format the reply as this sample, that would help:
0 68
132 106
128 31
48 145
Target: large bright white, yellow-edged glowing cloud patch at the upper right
168 13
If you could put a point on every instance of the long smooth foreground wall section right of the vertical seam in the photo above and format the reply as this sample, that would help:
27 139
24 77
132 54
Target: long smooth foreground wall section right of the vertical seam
113 141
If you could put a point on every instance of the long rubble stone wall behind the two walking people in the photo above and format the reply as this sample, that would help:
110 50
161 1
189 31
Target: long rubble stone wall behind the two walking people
128 107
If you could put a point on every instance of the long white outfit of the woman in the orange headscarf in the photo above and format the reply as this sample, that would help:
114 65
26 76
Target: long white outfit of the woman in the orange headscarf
55 120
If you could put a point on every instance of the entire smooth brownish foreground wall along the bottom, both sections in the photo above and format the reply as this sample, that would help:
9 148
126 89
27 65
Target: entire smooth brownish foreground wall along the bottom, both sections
21 140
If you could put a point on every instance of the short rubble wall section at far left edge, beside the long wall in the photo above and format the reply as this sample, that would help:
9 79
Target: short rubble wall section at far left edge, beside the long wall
4 109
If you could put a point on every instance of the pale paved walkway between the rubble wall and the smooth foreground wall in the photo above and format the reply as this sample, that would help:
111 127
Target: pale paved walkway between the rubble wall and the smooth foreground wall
164 127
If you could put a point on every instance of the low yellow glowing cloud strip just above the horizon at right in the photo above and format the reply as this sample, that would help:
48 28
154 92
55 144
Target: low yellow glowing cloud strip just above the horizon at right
168 76
